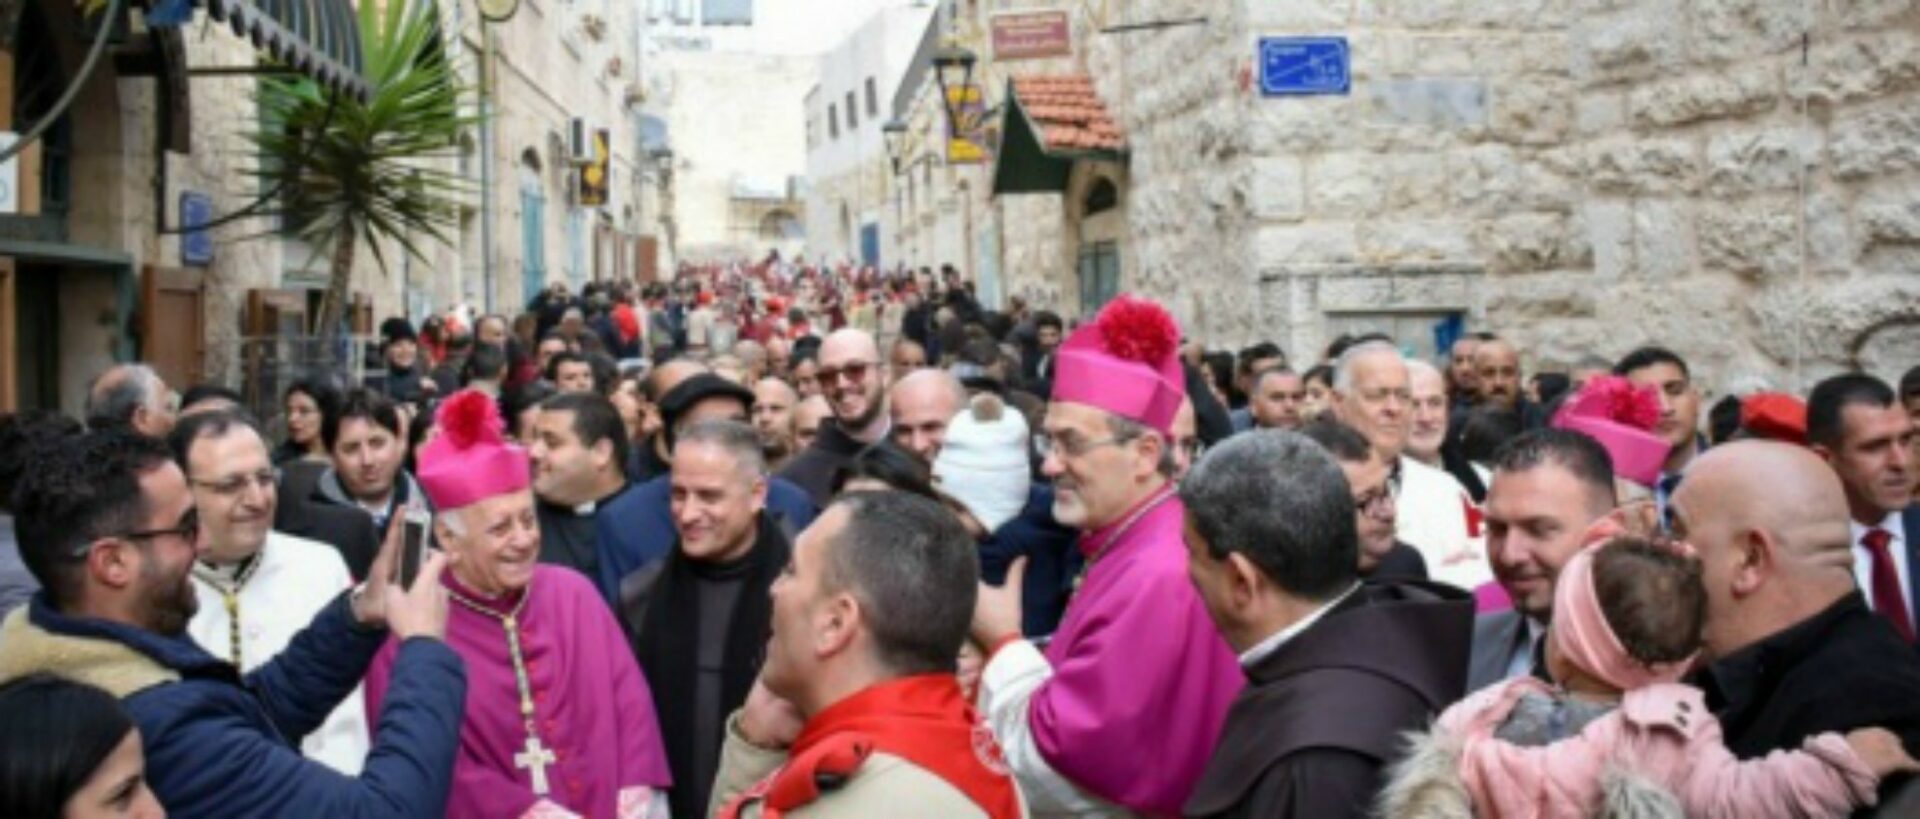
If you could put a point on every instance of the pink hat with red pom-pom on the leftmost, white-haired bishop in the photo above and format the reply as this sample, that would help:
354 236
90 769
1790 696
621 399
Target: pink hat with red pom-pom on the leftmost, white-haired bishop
471 459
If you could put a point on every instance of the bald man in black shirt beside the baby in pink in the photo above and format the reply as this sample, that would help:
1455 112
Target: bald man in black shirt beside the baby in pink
1790 643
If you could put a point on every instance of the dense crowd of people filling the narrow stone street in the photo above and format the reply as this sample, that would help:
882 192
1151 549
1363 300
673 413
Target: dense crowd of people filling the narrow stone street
777 540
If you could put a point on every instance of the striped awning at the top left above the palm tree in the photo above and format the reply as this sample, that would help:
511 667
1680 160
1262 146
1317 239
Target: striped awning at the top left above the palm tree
314 37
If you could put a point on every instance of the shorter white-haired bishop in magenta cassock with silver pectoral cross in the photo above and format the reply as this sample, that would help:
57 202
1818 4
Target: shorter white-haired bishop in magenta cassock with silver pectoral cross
560 720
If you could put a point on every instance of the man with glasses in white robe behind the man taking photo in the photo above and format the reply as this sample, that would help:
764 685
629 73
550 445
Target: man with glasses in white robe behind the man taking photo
258 588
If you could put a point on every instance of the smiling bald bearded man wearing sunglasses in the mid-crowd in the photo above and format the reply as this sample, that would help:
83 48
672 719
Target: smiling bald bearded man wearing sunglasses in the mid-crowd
853 379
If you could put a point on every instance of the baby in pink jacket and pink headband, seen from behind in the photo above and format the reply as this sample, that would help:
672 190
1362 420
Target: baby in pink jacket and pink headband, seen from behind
1618 728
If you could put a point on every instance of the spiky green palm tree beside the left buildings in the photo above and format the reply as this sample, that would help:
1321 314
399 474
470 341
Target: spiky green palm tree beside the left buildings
350 170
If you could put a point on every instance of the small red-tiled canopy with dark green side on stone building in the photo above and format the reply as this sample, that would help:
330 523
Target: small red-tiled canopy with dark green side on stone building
1049 126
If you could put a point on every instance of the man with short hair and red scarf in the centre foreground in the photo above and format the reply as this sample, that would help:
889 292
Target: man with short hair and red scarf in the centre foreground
859 713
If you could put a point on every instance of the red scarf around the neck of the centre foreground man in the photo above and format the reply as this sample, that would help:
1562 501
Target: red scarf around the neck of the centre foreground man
923 720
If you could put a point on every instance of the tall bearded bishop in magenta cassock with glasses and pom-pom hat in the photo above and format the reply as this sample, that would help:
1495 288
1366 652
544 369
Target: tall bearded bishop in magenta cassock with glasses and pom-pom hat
1124 707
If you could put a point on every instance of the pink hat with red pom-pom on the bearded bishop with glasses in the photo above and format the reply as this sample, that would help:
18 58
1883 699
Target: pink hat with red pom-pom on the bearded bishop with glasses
1126 362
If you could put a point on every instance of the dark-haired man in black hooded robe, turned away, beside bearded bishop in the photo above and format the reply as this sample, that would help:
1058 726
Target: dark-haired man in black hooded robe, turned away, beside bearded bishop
1337 670
